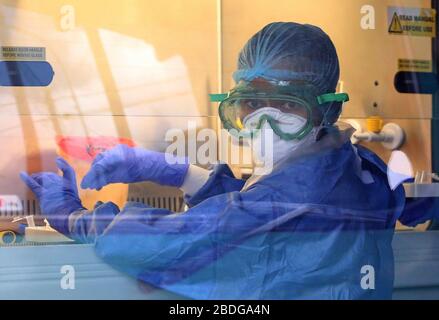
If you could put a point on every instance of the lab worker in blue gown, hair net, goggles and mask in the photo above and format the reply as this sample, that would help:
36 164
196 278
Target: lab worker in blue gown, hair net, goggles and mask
319 225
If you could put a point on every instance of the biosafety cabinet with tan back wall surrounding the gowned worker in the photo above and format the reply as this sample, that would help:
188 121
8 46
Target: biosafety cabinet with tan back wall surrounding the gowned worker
79 77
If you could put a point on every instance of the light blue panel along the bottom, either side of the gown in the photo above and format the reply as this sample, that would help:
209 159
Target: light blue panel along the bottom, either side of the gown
38 272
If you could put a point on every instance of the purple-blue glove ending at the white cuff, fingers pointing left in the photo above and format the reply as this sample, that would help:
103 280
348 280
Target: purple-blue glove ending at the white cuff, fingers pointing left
124 164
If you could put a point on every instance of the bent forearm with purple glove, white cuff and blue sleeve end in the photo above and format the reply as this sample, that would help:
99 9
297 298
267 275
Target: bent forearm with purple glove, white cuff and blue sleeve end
124 164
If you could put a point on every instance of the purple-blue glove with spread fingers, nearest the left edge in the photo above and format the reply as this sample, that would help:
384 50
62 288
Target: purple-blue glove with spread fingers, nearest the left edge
58 196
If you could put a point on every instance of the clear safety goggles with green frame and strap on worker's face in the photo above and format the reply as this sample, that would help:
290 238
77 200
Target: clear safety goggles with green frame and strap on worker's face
298 99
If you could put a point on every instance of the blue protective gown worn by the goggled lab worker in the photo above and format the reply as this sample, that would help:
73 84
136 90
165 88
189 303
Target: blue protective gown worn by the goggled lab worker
306 231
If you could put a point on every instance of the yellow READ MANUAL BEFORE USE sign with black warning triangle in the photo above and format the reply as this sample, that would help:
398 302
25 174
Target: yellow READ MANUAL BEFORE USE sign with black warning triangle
412 21
